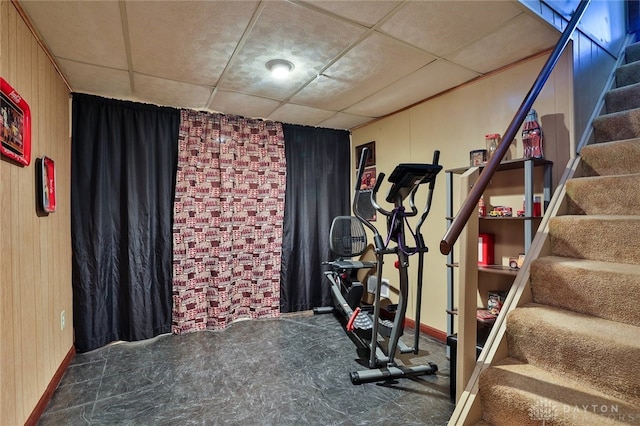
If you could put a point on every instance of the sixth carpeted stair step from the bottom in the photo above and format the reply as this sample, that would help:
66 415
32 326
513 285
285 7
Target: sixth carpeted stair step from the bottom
611 158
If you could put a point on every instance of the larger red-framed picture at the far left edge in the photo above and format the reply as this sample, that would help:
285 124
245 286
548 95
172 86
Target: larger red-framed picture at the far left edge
15 125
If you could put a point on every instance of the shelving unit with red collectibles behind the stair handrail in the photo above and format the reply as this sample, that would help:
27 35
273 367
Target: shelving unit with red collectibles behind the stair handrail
513 204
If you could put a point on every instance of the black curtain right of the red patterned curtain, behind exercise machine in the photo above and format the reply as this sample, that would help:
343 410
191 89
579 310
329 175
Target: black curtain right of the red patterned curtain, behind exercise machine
318 189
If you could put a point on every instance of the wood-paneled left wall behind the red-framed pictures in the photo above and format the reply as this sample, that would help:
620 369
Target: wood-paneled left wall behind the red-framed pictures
35 251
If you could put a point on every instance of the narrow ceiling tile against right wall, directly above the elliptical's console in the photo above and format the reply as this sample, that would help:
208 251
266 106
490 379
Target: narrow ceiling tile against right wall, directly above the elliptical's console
422 84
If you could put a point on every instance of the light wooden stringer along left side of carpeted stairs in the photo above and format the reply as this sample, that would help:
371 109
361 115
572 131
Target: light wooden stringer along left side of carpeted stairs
468 409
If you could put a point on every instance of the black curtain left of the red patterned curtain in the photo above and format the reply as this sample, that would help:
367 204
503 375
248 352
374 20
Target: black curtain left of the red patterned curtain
123 167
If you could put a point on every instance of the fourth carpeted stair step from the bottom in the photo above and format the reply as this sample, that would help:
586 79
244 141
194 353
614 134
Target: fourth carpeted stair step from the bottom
596 237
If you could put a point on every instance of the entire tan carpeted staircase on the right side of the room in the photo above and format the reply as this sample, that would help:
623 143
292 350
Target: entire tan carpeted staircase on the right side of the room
574 353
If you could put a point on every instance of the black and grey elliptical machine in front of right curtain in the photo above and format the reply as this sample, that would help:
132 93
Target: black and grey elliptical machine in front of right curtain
348 239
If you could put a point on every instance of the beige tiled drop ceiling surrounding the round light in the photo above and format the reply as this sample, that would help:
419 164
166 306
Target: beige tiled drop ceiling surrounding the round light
355 61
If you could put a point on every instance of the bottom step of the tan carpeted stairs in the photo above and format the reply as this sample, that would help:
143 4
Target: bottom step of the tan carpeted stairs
516 393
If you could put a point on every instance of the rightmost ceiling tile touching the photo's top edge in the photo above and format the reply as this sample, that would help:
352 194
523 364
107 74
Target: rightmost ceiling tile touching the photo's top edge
440 27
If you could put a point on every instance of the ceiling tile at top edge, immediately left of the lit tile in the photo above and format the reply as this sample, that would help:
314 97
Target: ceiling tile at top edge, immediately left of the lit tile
186 41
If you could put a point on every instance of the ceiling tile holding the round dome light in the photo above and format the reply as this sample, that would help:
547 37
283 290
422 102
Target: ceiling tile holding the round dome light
288 31
